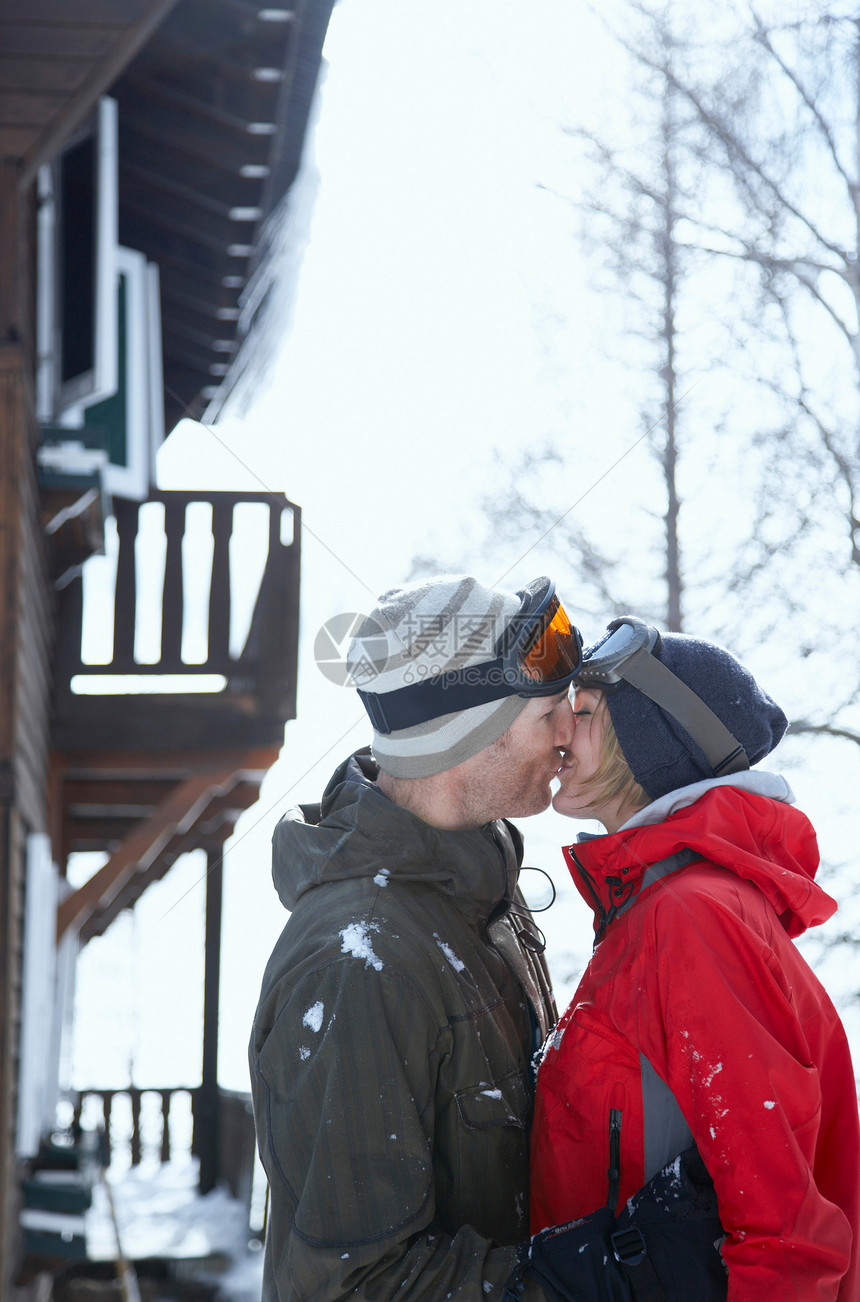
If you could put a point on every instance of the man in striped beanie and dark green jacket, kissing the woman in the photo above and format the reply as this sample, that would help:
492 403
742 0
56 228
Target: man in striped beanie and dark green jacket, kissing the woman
392 1050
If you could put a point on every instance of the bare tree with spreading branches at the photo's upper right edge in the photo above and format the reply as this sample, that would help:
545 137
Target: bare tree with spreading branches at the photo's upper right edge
779 105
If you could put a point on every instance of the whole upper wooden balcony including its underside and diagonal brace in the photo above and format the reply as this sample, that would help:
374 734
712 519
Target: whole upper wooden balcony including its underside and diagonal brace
146 774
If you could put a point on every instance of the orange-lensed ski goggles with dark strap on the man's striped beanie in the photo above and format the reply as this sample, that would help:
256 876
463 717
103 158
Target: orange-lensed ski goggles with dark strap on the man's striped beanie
538 656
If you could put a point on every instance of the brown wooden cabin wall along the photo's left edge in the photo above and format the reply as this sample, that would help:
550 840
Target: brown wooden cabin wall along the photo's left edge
25 678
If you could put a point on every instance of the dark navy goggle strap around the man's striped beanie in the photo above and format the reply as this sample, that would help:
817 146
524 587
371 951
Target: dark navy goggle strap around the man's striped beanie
431 699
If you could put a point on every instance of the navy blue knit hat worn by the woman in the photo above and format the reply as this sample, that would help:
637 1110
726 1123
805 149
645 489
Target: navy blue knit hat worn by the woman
660 753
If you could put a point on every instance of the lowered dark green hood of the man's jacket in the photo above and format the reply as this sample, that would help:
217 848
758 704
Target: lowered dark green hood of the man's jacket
358 833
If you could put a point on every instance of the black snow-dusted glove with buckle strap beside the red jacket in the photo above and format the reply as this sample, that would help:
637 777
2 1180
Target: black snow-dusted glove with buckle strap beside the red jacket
663 1248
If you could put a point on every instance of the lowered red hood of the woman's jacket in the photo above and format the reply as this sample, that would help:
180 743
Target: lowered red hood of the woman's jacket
759 839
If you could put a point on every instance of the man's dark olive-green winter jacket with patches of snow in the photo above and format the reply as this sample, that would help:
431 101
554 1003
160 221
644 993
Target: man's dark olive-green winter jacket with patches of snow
392 1055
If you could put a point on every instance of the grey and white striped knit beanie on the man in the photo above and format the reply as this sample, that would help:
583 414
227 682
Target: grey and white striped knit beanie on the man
423 631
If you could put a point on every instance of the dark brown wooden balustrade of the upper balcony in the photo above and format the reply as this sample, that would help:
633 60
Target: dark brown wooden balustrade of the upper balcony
260 692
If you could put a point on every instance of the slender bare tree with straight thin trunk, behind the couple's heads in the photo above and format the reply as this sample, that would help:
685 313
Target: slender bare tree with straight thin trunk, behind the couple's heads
636 217
